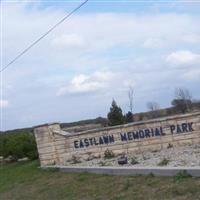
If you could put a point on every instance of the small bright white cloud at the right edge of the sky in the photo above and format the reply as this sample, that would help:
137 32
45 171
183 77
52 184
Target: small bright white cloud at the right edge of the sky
183 57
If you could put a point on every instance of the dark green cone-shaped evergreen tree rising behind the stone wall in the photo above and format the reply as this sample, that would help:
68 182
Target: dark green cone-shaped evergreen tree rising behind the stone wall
115 116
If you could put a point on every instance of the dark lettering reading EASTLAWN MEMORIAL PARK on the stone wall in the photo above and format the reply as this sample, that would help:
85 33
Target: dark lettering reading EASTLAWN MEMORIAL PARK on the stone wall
133 135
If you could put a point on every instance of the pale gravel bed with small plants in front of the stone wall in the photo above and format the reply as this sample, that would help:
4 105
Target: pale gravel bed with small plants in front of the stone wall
187 156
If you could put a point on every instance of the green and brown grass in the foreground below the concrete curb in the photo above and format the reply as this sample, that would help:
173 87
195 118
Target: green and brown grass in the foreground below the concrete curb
25 181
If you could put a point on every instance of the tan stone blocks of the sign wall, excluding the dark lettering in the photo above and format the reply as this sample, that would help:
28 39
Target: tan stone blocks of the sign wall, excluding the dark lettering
57 148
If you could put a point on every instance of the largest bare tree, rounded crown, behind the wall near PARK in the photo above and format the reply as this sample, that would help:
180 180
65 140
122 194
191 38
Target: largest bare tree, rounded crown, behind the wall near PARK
183 100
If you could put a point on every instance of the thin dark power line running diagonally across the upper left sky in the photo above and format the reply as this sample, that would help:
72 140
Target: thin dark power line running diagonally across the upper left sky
44 35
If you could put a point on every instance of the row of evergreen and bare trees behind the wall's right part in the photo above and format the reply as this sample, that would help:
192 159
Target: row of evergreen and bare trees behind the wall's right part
182 103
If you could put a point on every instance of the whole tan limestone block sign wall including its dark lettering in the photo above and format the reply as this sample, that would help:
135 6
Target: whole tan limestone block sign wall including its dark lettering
56 147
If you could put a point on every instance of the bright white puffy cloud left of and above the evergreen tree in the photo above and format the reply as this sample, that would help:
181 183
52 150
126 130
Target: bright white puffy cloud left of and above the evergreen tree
87 83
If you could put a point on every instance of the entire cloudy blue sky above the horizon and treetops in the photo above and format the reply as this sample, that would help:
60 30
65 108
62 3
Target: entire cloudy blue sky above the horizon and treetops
94 57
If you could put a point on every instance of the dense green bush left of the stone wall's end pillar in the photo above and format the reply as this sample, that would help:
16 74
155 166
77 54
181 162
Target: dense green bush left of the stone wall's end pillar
18 145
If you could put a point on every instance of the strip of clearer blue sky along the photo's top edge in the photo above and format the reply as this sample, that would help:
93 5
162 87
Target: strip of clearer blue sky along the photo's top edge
128 6
